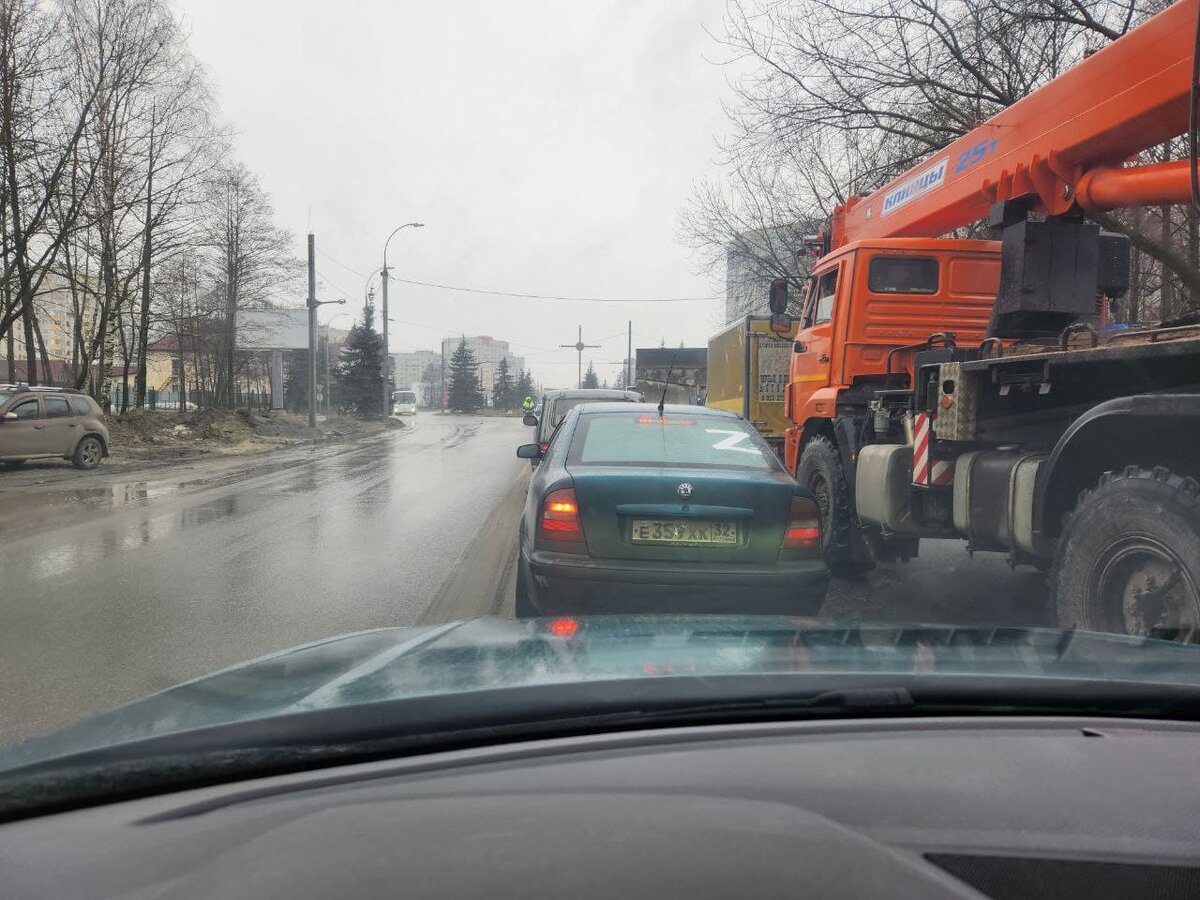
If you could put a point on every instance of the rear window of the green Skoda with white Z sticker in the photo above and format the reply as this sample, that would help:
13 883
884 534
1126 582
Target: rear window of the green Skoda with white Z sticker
646 440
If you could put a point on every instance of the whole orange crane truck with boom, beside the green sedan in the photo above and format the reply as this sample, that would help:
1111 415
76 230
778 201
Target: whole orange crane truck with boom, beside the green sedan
973 389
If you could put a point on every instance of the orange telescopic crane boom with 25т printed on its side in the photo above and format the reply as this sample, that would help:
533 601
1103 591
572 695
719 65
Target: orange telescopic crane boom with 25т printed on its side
1061 147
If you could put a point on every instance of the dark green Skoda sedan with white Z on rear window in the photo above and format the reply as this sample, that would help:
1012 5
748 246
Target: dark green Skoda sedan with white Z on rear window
649 509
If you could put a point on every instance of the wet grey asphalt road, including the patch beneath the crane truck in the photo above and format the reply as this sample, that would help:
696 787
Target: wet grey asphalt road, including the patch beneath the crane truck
118 589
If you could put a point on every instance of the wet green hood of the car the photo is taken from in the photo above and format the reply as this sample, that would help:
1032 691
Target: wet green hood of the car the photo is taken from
489 655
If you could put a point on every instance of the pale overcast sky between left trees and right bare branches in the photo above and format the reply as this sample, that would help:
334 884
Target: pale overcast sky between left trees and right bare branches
548 146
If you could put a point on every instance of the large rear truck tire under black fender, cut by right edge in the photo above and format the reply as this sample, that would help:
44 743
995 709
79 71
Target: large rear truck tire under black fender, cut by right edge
1130 557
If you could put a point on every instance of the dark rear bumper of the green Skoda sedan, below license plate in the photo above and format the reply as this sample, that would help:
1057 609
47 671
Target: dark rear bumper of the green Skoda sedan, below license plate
567 584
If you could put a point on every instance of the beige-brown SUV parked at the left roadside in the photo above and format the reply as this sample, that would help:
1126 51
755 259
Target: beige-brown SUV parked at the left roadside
39 423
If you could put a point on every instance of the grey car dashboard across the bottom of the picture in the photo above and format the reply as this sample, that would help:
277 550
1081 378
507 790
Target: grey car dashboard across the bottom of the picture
933 808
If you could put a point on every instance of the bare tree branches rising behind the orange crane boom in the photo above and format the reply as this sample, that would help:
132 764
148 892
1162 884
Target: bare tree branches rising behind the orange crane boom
843 97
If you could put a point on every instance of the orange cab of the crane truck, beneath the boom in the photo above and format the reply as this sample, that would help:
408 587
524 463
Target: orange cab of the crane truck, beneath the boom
865 304
